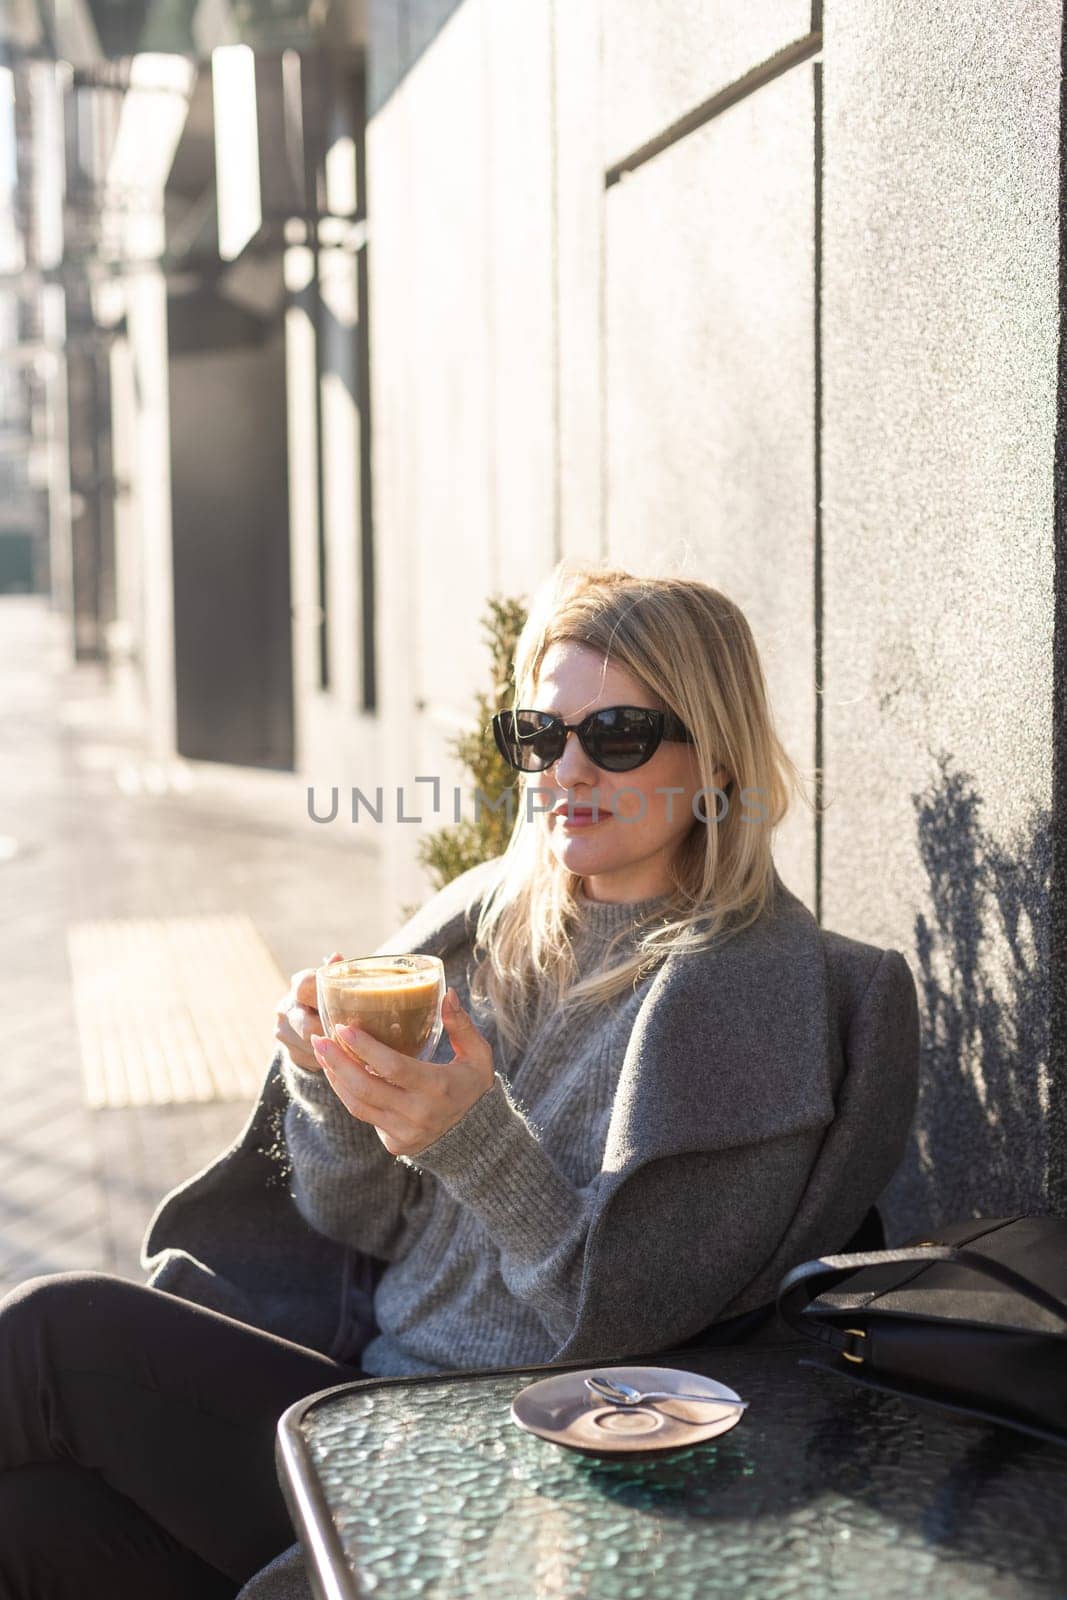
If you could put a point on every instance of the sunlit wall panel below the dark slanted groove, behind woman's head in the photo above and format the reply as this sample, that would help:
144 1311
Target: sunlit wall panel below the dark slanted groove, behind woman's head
711 388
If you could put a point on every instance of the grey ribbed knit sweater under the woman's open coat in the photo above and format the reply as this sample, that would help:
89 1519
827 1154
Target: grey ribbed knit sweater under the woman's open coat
484 1231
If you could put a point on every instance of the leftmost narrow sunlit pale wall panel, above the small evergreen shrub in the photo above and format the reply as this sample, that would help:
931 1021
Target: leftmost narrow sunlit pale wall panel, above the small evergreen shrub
431 404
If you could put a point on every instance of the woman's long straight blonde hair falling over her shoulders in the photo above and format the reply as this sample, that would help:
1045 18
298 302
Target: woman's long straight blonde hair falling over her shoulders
690 647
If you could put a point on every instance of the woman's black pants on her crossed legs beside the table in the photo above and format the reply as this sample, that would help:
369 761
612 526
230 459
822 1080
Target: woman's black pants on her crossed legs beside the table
137 1442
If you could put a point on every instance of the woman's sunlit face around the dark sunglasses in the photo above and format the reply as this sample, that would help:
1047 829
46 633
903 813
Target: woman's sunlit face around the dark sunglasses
623 857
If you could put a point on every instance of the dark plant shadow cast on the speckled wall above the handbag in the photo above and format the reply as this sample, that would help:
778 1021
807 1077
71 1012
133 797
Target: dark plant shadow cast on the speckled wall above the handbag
981 1127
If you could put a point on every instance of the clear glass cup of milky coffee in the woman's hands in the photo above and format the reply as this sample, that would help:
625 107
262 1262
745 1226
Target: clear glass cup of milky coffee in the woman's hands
396 999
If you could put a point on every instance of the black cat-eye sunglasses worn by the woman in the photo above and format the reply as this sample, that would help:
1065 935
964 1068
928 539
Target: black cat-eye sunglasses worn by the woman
617 738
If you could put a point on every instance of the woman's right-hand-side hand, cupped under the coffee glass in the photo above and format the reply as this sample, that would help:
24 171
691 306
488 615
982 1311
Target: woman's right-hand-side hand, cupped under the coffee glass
412 1103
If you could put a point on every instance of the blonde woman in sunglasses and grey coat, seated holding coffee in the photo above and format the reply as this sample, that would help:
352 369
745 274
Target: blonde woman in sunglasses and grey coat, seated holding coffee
637 1121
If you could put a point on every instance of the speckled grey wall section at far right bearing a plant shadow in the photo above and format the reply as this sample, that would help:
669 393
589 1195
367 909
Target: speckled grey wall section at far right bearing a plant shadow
940 404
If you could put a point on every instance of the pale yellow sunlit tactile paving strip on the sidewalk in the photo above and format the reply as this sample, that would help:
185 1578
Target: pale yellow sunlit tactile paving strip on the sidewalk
174 1010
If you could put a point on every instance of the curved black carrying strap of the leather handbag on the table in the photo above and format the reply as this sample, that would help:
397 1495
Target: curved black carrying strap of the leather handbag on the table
797 1287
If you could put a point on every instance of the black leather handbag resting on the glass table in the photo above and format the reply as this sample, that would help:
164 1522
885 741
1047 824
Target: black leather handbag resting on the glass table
972 1321
